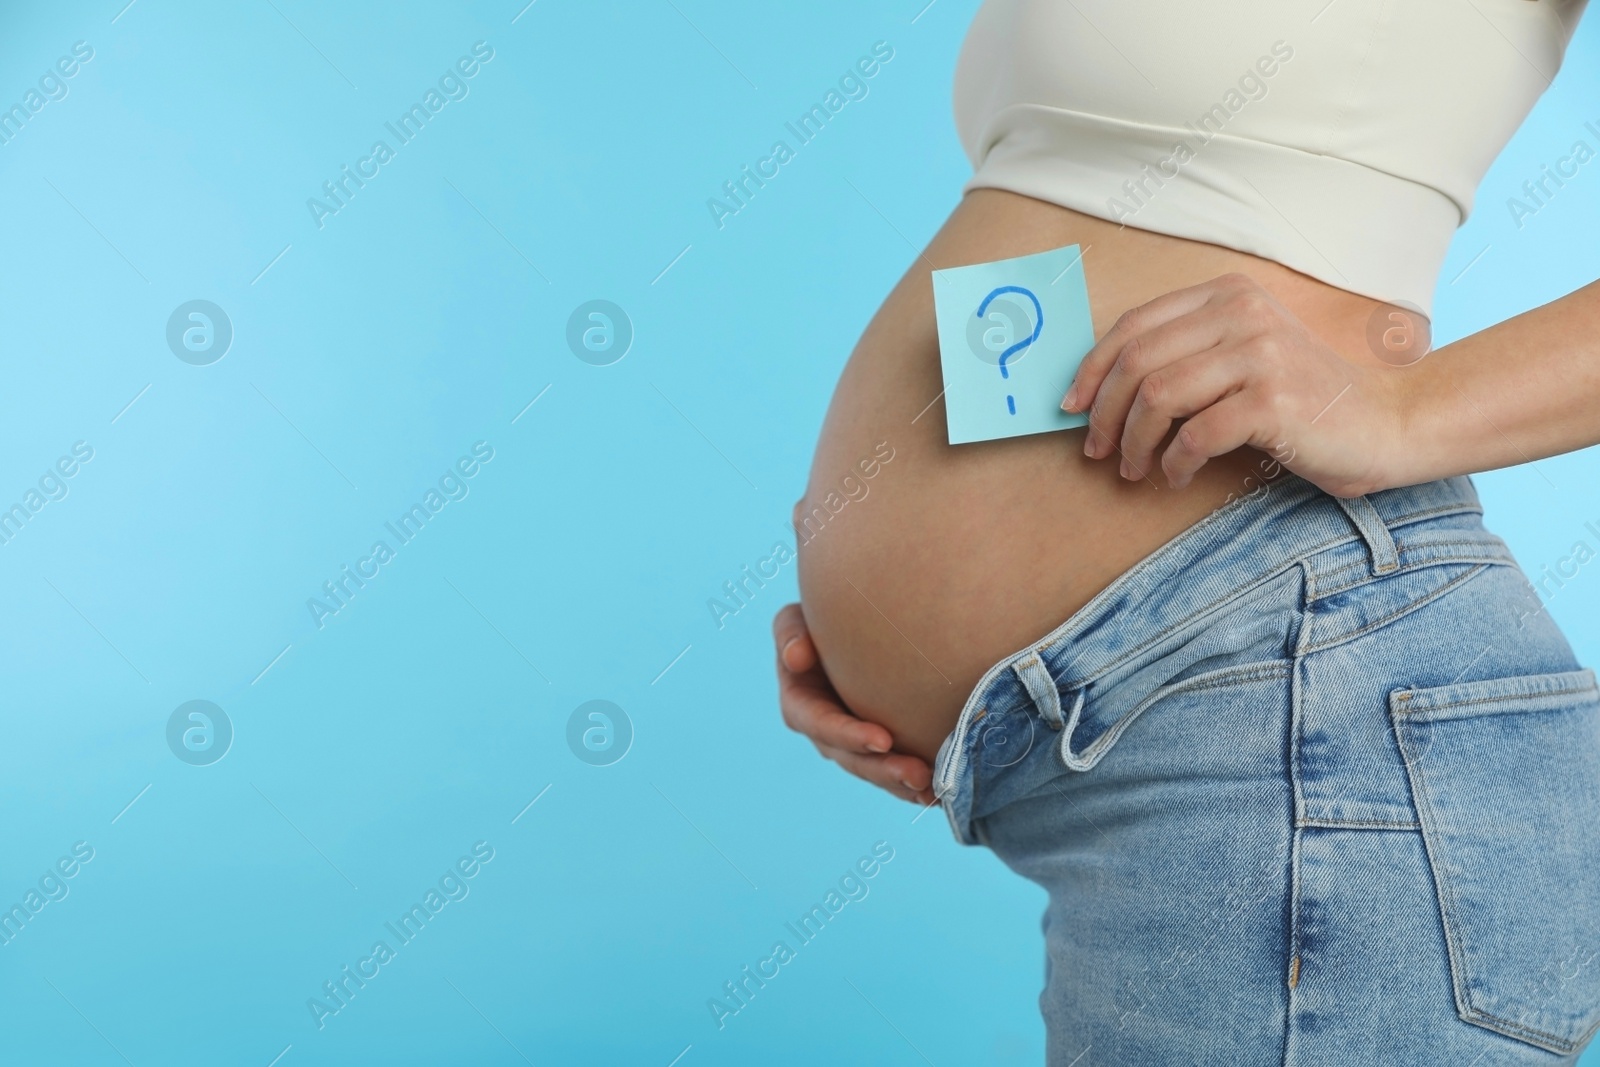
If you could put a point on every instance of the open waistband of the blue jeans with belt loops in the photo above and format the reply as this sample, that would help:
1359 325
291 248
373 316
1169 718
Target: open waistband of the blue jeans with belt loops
1241 546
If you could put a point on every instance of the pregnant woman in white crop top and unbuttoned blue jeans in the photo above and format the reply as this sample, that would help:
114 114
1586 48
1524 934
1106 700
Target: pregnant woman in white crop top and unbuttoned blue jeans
1236 673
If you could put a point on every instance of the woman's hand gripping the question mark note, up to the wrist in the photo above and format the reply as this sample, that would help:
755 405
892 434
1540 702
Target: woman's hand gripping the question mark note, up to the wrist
1238 369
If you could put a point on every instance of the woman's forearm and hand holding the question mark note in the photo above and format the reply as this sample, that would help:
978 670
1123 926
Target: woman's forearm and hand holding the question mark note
1238 369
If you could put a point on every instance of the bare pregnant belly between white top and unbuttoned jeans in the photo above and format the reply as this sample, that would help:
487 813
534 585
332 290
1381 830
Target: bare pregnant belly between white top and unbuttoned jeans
922 575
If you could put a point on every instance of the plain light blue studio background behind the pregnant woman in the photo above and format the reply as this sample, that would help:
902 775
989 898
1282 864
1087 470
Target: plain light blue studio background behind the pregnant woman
366 361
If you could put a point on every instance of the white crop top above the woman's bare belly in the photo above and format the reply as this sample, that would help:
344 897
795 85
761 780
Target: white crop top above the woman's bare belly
1343 140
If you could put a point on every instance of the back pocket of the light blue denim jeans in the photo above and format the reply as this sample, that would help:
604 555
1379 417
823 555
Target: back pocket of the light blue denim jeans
1506 783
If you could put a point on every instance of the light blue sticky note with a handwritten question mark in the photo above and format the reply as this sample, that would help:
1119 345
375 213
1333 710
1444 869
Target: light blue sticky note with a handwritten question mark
1012 334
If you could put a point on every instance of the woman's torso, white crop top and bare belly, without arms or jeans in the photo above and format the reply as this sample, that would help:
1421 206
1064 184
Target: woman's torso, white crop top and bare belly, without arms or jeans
1345 142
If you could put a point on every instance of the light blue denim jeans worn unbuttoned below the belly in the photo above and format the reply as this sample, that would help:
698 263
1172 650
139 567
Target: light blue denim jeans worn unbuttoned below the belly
1318 783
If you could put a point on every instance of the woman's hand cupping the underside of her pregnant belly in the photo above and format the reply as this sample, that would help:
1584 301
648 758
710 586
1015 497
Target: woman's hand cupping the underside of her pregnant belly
814 709
